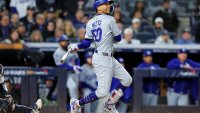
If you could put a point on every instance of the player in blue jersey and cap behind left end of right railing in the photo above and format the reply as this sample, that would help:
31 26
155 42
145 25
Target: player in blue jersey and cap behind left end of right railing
150 87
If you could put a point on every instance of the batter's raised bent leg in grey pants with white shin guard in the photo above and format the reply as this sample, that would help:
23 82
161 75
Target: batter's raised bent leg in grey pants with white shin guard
125 81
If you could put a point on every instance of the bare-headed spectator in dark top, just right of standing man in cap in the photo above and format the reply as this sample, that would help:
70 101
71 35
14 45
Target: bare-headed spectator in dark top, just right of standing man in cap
40 23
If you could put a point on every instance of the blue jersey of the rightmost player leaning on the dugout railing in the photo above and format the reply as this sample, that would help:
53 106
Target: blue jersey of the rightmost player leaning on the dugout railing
181 85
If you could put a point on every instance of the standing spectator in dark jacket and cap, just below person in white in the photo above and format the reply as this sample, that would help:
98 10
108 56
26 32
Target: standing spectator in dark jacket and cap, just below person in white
28 20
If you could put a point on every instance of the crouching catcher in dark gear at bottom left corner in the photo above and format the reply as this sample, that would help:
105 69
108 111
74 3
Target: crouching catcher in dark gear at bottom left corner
7 104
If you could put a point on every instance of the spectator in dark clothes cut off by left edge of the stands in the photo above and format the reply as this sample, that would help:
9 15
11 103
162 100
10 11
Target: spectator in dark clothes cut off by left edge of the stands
4 27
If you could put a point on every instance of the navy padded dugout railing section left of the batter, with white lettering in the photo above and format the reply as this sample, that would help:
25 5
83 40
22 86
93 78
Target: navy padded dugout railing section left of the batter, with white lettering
29 85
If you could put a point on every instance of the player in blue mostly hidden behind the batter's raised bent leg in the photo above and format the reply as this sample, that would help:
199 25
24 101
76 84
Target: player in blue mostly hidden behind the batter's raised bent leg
128 93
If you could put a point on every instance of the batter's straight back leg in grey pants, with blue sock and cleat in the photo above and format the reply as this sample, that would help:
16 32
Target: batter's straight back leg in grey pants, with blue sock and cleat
103 71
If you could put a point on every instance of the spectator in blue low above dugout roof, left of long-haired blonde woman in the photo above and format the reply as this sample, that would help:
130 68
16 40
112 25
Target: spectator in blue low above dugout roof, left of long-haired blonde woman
57 35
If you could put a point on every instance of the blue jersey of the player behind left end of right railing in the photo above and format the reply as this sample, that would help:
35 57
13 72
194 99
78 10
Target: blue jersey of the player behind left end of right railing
150 86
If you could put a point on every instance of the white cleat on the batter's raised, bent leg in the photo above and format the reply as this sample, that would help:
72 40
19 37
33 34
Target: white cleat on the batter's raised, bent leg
110 108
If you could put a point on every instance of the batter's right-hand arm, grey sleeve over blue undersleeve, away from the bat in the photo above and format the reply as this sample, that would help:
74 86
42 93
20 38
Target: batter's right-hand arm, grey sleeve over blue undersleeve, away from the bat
115 30
